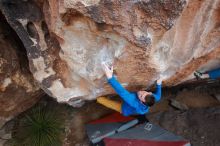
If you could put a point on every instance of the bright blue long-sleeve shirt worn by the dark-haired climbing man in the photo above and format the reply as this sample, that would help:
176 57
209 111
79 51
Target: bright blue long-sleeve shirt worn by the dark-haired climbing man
131 104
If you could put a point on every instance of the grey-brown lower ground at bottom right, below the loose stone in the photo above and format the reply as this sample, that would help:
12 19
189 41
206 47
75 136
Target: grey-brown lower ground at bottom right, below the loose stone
200 126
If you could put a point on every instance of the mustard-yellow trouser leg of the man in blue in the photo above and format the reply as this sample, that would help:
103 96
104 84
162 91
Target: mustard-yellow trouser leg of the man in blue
114 105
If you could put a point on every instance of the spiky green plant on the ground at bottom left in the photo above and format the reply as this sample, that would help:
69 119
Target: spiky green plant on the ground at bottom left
42 126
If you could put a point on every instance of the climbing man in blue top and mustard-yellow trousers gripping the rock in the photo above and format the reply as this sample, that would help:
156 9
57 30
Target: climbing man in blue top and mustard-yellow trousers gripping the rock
134 103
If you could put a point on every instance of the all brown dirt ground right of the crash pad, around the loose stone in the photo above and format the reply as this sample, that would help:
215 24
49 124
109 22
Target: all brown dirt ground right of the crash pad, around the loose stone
200 123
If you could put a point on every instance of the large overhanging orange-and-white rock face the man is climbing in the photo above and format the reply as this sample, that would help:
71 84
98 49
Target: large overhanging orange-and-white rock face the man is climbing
66 41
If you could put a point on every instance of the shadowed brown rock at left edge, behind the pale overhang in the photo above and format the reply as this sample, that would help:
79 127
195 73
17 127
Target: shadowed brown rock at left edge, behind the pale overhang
18 90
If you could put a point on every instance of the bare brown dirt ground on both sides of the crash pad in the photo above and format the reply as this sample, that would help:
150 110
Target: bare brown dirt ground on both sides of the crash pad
199 123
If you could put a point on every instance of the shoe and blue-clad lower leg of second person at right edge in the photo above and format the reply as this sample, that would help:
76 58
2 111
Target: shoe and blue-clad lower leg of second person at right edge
213 74
